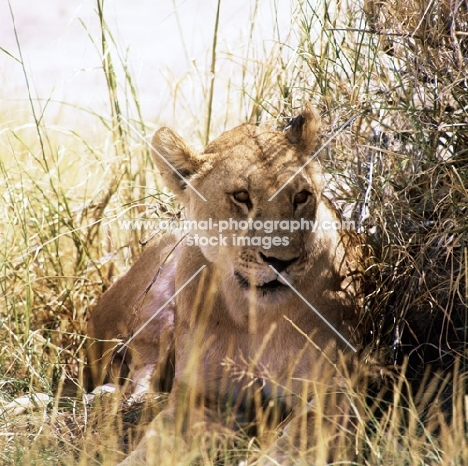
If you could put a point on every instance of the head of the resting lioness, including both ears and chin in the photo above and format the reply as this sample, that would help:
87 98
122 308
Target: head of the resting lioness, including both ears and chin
261 203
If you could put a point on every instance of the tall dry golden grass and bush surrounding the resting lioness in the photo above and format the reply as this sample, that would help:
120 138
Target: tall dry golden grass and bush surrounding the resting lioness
399 170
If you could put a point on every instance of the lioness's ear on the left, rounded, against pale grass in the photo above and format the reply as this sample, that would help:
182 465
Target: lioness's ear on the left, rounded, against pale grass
176 161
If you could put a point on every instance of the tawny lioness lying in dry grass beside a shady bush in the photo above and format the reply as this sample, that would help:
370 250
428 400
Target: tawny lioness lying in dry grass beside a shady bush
263 308
